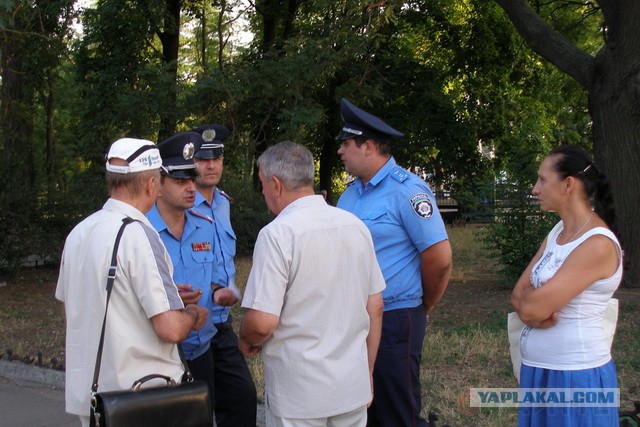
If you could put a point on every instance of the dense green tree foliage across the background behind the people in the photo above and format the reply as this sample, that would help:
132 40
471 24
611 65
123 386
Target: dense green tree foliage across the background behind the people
476 106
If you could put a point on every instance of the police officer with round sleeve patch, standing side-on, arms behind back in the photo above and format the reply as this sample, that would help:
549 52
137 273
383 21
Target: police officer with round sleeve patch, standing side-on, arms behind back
412 249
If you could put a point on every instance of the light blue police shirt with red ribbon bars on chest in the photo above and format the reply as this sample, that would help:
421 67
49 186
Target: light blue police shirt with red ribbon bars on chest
193 263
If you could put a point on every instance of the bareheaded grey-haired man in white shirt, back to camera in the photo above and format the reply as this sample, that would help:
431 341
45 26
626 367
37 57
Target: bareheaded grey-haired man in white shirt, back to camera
314 300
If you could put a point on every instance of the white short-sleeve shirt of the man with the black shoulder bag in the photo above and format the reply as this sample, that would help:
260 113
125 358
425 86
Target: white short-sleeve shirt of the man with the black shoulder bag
143 288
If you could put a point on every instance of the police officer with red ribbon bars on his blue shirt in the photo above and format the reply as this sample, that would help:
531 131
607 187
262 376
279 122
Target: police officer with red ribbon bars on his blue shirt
188 237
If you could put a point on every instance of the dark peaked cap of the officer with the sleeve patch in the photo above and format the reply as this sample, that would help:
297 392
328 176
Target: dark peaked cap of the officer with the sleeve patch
359 123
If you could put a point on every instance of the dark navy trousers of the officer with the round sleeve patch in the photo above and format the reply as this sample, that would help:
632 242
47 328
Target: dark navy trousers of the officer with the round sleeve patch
396 375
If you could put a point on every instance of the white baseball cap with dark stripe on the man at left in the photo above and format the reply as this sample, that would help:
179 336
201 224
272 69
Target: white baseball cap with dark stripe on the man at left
141 154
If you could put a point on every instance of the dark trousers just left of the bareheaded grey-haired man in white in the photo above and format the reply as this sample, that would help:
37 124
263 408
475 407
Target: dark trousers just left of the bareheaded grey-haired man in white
234 388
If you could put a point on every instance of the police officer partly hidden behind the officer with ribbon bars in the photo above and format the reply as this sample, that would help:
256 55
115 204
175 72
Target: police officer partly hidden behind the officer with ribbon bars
235 390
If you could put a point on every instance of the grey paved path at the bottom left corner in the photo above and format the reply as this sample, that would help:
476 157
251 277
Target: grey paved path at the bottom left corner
34 397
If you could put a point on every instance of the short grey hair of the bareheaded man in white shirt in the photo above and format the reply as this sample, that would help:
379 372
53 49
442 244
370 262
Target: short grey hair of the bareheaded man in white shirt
290 162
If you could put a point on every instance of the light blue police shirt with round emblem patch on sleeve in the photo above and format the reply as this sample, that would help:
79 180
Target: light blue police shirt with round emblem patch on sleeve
401 212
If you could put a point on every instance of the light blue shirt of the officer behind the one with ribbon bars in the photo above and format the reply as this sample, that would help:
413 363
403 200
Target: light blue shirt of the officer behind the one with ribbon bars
225 244
